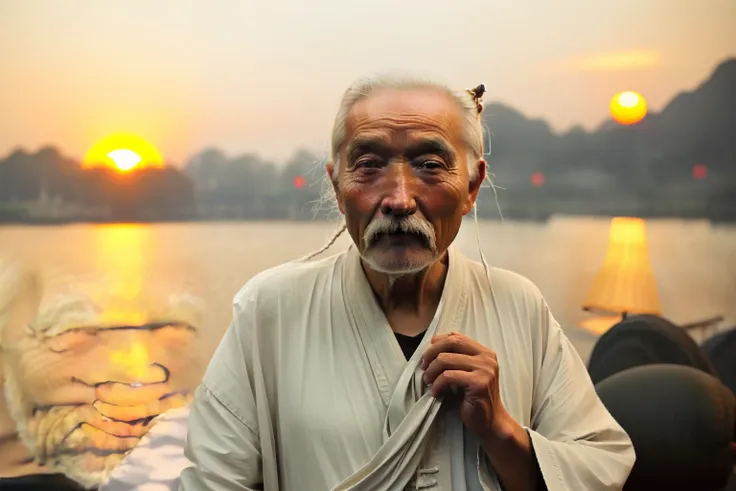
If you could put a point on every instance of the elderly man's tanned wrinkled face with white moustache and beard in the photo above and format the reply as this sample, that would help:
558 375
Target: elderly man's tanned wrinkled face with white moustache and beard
403 178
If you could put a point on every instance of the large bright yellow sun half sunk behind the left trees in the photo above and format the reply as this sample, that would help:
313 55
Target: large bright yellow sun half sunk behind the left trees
123 152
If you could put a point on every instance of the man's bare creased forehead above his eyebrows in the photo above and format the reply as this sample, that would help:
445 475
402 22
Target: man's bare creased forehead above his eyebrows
400 118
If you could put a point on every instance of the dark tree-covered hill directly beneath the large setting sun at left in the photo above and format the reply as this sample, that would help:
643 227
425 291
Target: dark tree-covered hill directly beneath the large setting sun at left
47 187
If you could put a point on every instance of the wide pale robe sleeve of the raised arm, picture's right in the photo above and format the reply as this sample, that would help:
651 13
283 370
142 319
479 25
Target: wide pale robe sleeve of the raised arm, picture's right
577 442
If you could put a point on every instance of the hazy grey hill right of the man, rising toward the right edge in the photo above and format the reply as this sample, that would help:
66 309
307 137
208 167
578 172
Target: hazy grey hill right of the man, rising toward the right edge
644 169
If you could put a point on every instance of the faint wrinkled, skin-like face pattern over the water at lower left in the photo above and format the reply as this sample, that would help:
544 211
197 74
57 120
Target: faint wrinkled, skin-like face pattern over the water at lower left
83 398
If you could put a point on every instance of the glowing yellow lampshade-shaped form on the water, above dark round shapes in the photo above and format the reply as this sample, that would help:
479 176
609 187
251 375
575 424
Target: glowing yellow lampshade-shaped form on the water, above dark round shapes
625 284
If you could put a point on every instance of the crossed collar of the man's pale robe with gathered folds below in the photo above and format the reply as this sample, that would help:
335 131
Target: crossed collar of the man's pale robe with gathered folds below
411 422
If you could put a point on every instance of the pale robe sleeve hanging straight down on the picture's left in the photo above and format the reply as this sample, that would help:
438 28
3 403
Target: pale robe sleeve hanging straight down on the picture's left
222 440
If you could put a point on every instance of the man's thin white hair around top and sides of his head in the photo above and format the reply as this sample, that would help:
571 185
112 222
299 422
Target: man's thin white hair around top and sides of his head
365 86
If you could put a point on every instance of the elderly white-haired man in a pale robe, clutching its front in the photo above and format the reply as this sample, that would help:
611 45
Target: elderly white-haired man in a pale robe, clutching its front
400 364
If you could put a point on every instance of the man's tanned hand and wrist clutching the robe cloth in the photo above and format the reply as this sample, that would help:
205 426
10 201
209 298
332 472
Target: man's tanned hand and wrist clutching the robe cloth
456 363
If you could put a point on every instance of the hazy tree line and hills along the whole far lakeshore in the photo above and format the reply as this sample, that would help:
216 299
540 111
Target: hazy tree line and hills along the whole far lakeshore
679 162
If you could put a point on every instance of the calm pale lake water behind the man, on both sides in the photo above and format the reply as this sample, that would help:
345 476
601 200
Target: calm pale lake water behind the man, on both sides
694 262
